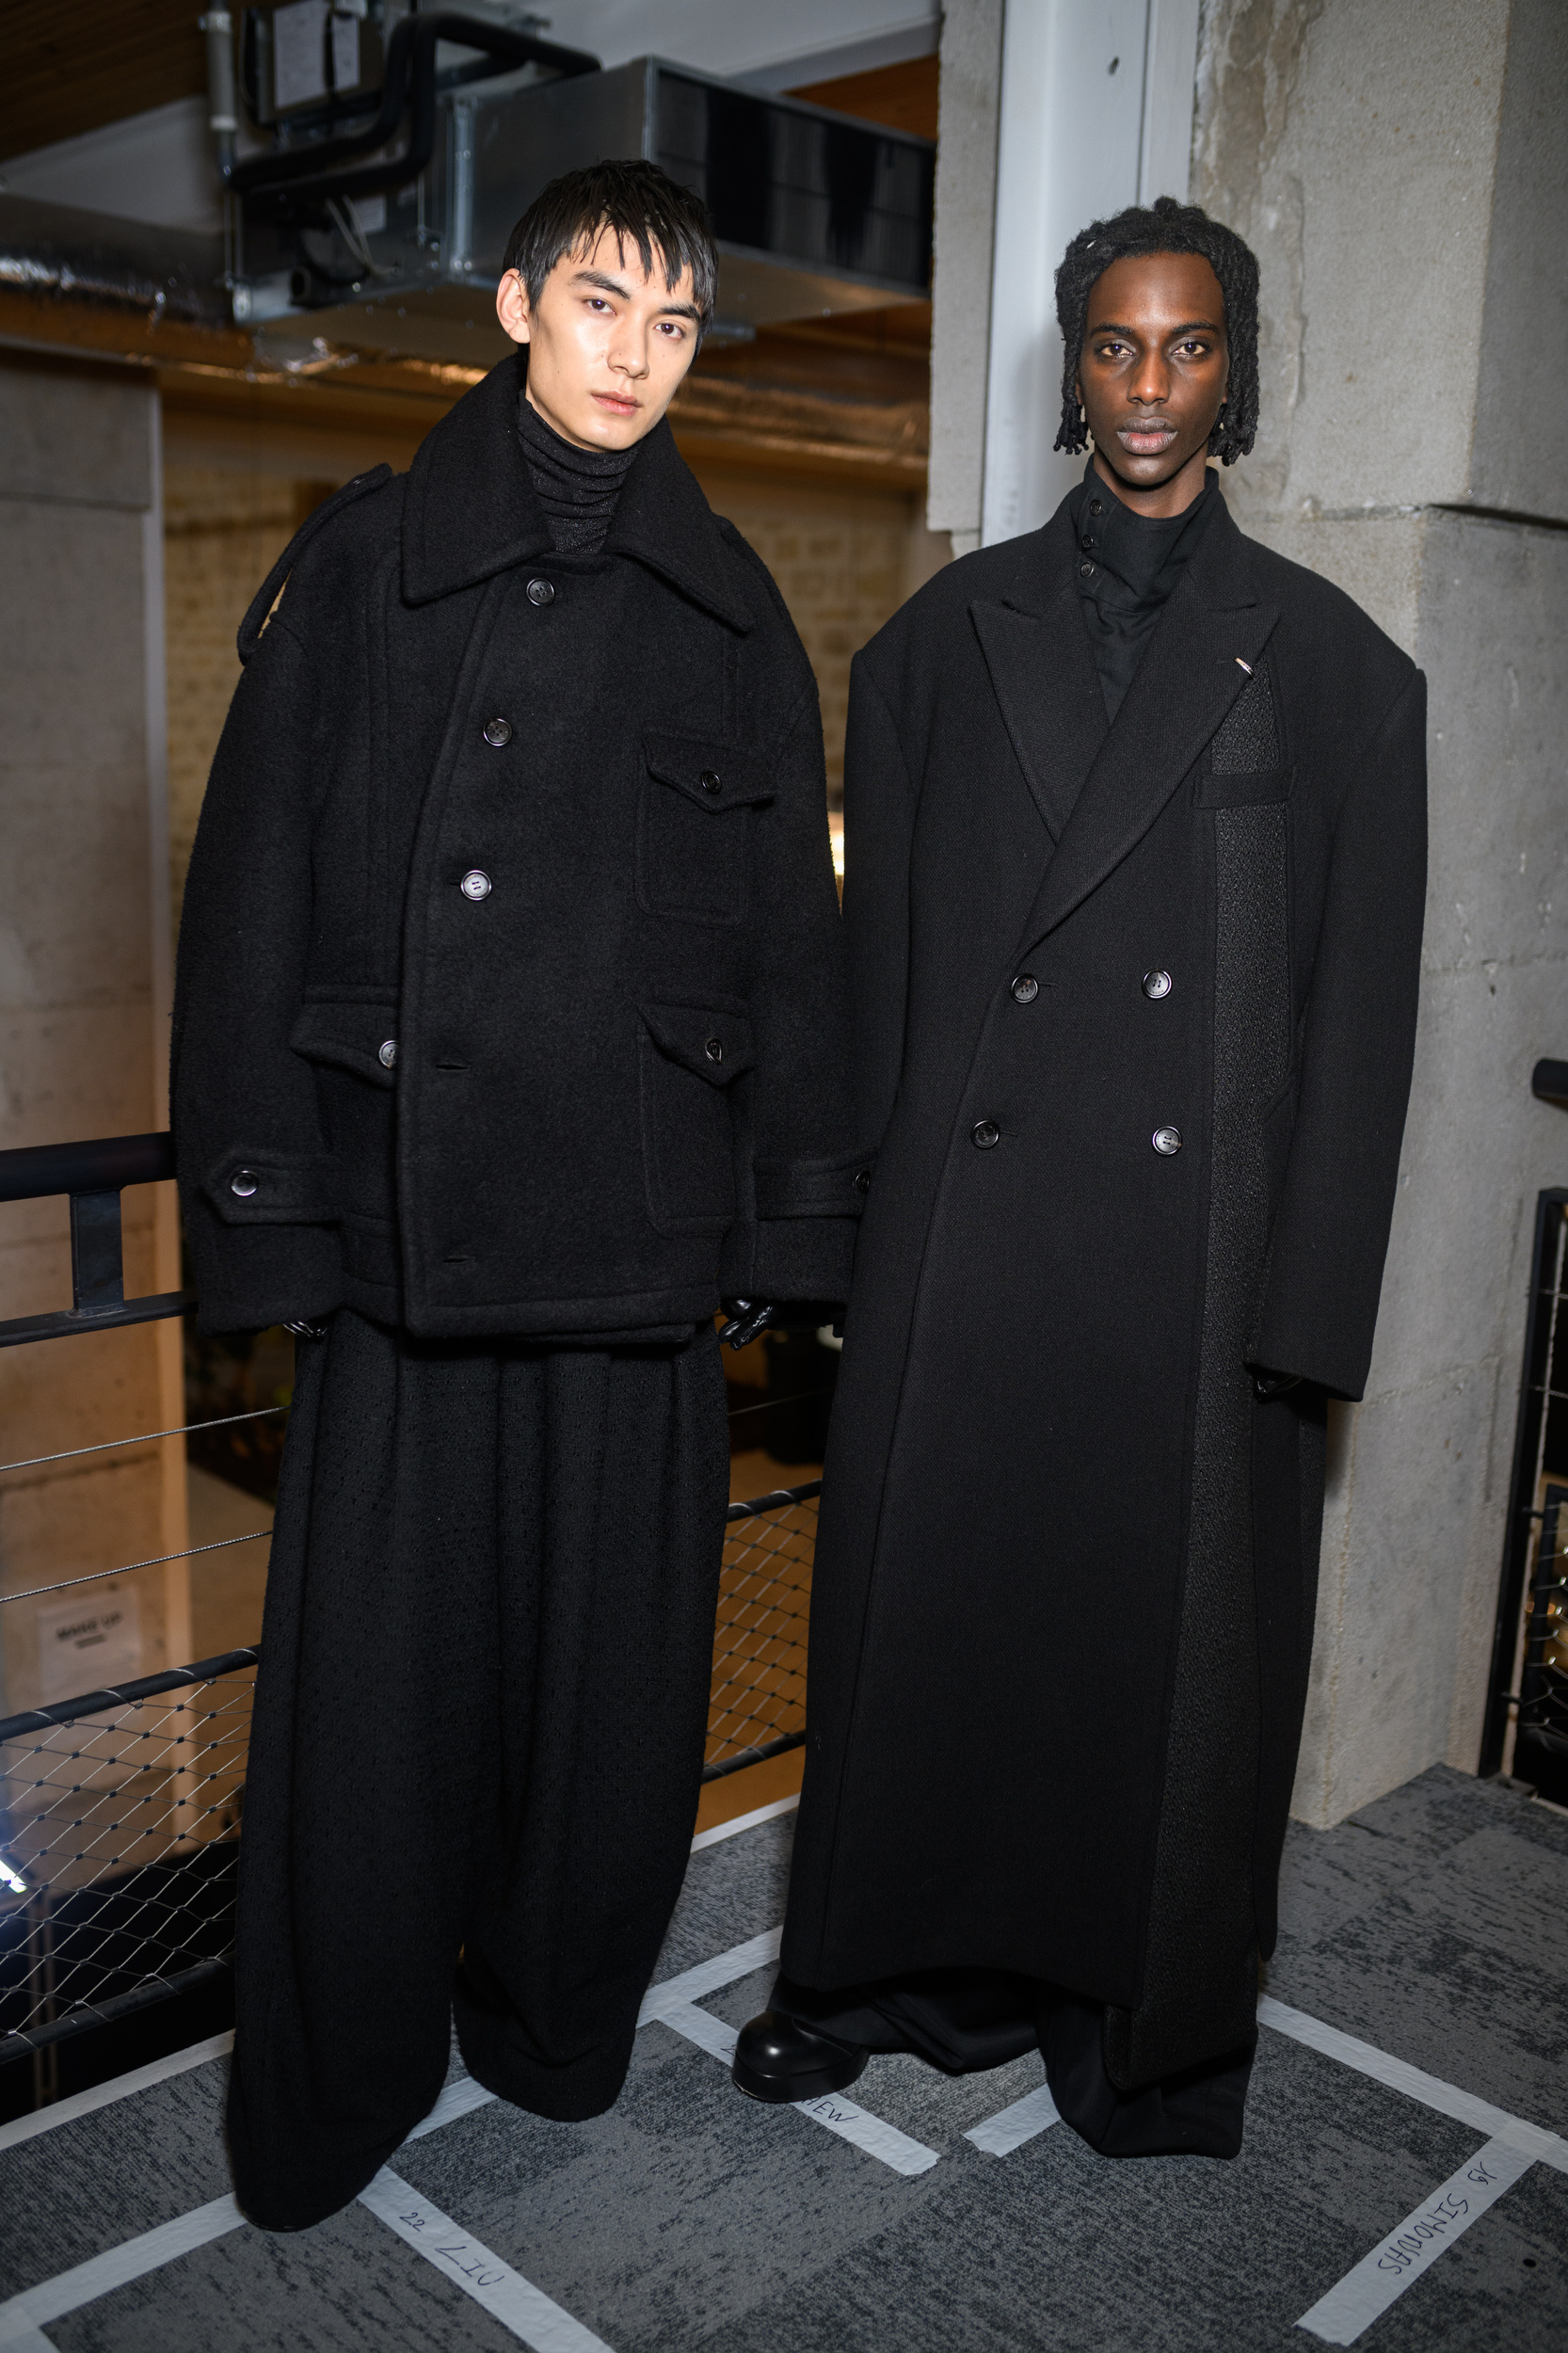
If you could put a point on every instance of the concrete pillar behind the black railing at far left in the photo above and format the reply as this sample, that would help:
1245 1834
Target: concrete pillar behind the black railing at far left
84 1015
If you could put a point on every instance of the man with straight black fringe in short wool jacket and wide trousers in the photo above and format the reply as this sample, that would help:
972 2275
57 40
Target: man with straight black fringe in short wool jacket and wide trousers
510 1041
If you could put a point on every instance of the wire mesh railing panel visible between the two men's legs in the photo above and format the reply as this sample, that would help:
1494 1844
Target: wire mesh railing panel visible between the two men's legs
757 1702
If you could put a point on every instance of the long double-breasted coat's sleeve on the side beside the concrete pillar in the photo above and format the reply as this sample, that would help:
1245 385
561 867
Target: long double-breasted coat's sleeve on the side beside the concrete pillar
1336 1206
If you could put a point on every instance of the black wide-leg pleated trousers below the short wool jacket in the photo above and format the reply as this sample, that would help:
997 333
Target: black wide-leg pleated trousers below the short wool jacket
479 1733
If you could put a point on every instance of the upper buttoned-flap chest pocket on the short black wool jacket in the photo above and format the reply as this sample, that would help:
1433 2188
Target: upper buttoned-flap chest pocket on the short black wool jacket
696 827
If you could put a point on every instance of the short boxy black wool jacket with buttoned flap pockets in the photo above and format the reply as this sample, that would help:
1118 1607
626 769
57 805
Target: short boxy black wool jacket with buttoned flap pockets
510 975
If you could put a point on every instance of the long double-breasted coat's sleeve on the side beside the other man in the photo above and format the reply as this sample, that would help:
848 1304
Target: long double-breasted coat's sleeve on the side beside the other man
879 829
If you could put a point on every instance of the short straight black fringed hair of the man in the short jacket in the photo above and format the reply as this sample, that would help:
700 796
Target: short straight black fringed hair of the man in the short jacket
642 204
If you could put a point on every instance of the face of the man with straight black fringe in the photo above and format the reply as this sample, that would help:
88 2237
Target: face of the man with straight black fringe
606 345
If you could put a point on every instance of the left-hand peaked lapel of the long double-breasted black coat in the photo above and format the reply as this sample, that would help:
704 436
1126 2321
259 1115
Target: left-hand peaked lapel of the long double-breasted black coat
1044 674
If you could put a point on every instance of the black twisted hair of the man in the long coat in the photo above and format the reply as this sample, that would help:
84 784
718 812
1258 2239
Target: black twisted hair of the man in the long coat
1167 229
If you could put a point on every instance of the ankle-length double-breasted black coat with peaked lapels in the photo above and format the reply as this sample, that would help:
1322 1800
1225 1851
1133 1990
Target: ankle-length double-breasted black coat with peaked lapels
1136 1018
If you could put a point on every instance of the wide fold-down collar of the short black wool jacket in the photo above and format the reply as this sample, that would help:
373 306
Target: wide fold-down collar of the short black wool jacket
472 509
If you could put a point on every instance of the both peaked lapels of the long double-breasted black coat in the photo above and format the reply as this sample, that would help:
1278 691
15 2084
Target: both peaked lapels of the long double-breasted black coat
1103 787
